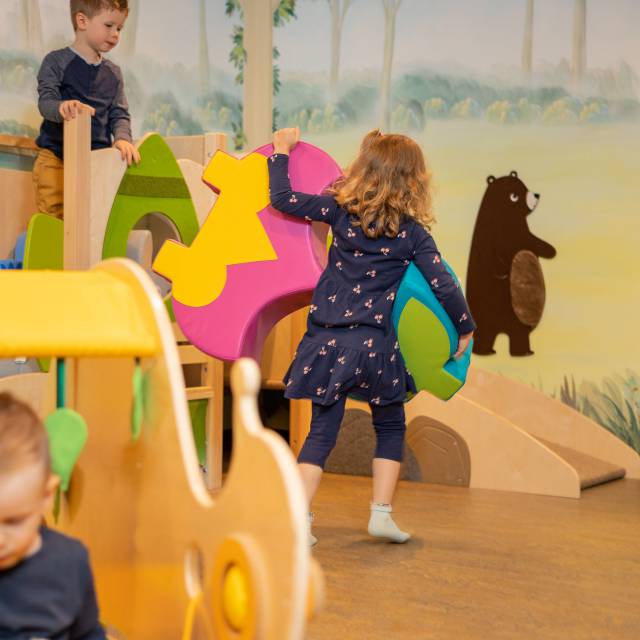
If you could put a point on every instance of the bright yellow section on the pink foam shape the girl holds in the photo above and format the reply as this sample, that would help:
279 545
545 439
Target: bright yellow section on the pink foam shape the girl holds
231 234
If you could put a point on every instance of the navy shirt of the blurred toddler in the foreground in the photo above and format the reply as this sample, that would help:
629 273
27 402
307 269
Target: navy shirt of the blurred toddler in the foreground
50 594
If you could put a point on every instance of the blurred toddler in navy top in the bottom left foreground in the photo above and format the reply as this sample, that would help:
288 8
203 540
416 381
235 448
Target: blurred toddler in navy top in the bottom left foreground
46 585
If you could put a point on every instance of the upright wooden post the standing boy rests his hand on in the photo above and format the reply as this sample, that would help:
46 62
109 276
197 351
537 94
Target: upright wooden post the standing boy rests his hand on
77 190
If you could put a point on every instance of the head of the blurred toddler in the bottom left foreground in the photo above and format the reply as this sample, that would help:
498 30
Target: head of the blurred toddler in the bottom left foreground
27 487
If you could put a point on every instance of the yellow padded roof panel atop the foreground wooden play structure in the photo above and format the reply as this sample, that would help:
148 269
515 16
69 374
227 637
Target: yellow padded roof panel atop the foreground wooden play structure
73 313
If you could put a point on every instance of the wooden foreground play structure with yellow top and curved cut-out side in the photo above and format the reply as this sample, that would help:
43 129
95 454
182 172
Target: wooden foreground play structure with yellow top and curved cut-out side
169 559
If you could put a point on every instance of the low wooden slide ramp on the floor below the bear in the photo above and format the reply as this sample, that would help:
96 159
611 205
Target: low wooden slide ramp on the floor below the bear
499 434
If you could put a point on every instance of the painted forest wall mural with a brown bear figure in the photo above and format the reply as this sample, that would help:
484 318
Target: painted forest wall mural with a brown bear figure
541 94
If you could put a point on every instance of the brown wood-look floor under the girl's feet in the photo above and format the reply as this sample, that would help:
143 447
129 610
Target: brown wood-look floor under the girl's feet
482 564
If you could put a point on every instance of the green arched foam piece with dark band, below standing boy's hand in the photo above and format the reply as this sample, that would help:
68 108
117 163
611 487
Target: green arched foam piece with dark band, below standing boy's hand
155 185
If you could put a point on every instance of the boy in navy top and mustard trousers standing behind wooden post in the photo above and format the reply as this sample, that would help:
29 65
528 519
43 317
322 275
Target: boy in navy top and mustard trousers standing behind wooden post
78 77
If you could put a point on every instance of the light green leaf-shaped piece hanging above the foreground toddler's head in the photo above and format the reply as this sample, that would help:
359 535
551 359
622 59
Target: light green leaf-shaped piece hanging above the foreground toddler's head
68 434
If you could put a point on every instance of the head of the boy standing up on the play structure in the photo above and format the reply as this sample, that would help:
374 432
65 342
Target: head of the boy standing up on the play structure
99 22
